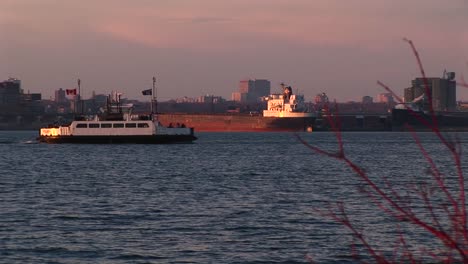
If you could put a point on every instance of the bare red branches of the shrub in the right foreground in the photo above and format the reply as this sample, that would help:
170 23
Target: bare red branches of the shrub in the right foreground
389 201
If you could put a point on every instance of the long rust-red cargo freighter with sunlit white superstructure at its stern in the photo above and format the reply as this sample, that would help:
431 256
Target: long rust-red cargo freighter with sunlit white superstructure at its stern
285 112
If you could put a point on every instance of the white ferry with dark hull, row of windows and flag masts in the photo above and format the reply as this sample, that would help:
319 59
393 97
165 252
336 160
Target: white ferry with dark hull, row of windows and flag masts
117 125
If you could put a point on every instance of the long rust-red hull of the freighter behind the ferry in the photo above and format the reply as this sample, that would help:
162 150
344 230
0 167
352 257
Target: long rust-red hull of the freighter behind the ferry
237 123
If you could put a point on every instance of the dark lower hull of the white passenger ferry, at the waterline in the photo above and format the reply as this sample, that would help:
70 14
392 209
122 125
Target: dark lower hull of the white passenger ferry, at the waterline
152 139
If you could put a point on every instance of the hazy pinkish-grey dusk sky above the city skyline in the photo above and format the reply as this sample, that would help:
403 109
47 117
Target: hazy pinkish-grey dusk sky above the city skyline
199 47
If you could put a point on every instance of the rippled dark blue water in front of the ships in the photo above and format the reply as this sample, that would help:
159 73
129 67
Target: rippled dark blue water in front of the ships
228 198
